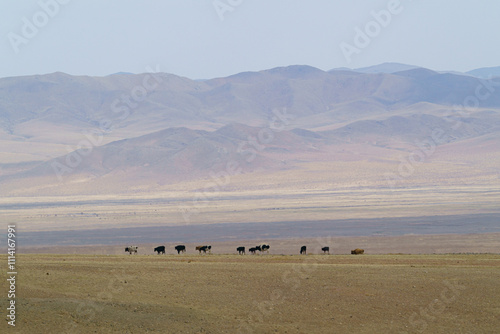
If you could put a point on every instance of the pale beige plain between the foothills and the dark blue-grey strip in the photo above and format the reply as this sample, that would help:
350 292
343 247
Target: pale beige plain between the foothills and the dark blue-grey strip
309 191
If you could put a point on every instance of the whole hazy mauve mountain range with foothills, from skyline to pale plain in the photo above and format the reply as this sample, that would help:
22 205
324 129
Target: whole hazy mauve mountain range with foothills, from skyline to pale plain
156 129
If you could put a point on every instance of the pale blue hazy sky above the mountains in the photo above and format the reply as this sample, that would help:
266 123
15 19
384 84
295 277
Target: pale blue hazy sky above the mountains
207 38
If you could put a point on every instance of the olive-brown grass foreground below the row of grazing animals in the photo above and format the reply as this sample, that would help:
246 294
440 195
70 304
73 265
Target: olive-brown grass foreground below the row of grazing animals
442 293
